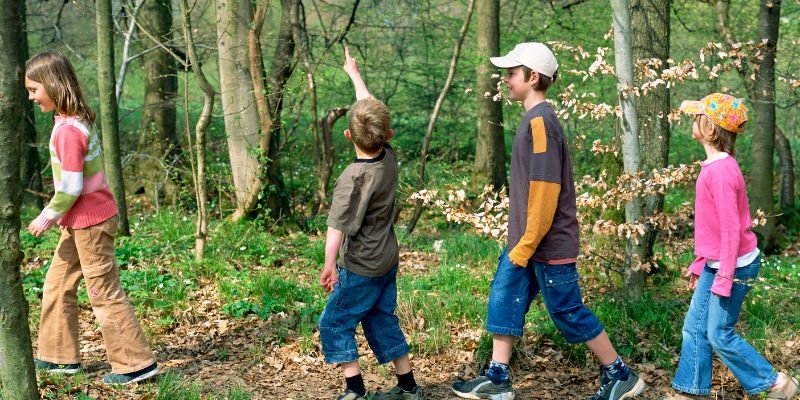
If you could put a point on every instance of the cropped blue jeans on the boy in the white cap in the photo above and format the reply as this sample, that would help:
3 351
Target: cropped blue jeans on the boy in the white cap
514 288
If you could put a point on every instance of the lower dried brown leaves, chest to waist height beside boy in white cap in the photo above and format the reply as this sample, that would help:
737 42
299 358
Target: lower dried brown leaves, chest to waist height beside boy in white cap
603 238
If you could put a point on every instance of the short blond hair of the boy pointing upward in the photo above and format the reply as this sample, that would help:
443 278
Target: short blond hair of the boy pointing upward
369 124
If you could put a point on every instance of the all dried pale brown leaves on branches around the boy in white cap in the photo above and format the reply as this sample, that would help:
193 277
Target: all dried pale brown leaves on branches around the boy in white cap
601 199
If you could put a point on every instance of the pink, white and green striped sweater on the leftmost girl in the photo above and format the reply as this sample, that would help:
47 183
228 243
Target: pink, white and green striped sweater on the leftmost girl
82 197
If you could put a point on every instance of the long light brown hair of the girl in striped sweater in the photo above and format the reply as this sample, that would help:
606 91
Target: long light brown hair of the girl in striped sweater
54 71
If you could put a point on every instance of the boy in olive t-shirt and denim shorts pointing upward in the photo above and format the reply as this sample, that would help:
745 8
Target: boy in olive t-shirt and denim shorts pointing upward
362 285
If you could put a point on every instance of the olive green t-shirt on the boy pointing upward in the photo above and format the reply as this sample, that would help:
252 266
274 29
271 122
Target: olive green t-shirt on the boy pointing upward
363 208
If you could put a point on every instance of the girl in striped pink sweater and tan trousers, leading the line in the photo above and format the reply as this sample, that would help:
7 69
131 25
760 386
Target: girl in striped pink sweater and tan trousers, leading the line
84 209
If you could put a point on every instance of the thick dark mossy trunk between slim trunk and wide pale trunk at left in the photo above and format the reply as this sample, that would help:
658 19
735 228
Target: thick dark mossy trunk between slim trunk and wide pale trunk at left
158 138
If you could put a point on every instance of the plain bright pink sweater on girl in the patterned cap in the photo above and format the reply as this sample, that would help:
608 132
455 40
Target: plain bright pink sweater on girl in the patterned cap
722 221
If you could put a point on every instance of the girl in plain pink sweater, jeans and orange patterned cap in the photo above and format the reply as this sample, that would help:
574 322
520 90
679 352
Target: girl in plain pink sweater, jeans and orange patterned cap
727 262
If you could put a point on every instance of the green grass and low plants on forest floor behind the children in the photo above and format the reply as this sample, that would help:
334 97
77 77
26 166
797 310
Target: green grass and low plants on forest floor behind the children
270 276
